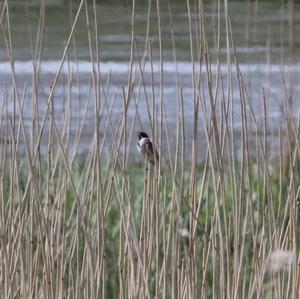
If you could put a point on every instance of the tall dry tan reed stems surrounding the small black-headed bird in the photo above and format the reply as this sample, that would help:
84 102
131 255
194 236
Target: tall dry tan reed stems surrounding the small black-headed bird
101 225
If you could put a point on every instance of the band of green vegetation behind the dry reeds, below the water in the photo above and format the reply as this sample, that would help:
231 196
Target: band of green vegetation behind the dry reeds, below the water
254 219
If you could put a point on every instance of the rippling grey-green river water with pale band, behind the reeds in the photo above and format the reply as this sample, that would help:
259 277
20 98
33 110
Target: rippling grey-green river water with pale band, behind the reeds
267 49
